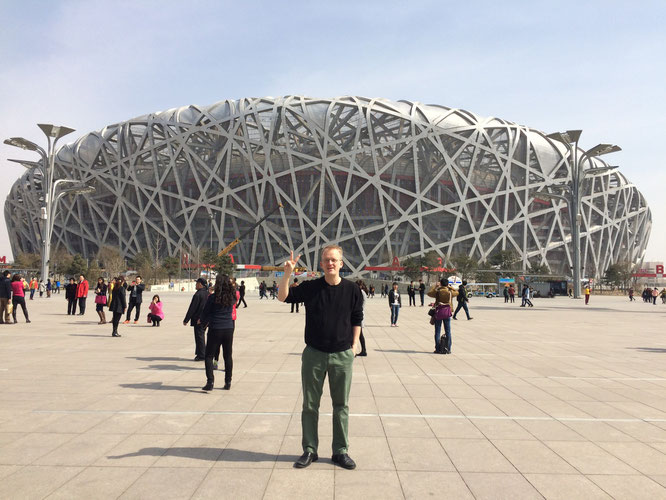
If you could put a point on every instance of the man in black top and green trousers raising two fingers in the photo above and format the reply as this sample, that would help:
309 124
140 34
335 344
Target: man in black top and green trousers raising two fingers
333 317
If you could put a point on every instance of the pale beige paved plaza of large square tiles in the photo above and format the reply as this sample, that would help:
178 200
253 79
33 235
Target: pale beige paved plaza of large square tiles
559 401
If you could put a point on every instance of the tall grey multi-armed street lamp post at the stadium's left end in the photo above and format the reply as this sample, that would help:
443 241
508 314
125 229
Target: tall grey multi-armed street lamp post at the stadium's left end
49 185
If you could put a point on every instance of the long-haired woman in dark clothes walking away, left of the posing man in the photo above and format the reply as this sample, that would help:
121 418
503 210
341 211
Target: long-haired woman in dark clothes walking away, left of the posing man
217 315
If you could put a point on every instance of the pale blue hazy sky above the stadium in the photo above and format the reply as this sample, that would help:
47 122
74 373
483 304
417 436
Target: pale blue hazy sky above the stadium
599 66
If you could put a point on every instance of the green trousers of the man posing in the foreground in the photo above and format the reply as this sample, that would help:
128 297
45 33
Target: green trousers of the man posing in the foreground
314 368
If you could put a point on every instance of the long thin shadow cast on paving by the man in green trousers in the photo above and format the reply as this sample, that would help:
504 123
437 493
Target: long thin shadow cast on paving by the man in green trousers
210 454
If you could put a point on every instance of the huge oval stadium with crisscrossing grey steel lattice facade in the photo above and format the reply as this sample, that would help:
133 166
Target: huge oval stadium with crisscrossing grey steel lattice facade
380 178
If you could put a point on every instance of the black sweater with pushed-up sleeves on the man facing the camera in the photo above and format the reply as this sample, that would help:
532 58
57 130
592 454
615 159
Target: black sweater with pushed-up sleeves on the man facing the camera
330 312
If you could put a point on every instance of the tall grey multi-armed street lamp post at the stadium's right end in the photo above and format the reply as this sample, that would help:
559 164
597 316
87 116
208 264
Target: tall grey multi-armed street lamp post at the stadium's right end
573 190
